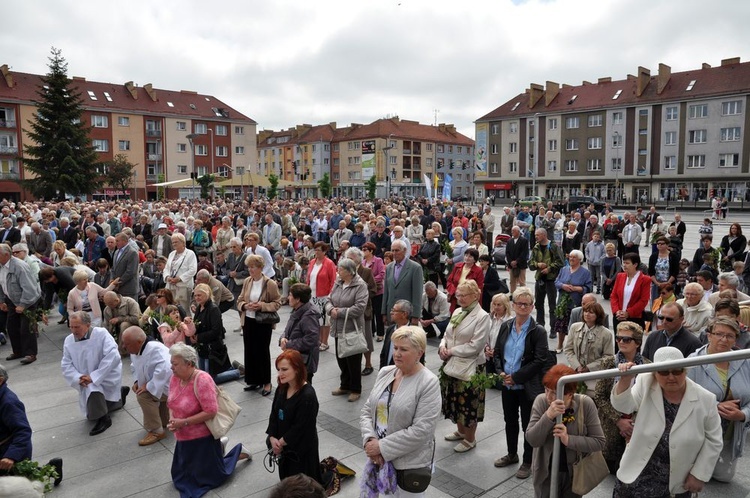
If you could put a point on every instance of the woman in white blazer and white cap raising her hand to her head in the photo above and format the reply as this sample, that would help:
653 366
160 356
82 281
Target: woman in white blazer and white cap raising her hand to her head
676 438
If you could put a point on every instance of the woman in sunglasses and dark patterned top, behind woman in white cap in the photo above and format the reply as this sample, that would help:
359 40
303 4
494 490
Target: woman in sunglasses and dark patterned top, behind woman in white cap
618 427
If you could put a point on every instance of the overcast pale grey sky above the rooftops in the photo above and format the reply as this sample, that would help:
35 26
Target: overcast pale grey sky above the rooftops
287 62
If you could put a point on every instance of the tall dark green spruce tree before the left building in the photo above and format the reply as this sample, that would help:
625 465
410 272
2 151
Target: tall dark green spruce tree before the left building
60 155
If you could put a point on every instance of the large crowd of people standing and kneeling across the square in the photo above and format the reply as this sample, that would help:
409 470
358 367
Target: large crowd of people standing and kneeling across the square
375 281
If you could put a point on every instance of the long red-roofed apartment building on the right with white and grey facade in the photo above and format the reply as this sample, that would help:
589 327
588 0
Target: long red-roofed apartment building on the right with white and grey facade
667 137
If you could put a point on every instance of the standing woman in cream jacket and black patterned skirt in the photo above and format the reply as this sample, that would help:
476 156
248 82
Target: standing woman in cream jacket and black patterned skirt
463 346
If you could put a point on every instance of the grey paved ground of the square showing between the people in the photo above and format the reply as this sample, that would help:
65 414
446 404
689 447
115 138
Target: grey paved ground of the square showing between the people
113 465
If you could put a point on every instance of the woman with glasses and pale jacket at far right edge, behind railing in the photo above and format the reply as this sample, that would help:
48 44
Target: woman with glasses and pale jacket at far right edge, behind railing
730 384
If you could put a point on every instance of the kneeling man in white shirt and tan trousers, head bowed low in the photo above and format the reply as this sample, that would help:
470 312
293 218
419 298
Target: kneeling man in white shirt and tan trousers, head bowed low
152 371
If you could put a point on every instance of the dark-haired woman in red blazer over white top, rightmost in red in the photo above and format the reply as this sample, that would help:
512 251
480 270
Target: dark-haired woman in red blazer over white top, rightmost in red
631 292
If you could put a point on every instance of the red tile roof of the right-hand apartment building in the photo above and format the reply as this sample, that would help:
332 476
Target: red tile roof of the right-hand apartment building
727 79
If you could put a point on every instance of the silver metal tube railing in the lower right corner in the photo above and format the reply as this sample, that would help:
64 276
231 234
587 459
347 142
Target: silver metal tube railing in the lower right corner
742 354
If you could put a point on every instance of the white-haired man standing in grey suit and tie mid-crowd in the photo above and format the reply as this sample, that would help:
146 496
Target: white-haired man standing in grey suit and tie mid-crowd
403 280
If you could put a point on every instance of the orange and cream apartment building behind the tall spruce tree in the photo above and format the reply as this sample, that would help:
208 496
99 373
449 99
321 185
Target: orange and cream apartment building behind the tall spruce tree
167 134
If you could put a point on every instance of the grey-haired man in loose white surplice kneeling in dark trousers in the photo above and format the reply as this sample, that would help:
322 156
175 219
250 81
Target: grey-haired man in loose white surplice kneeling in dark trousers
91 365
